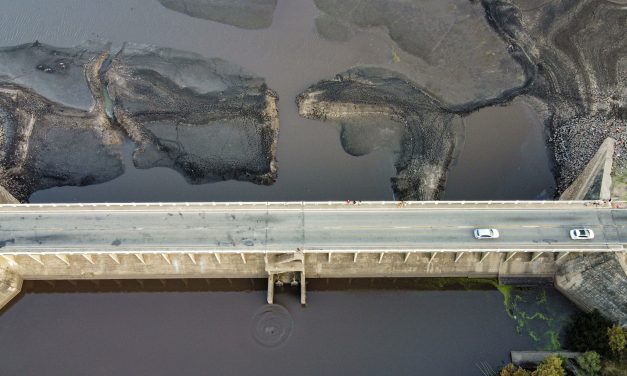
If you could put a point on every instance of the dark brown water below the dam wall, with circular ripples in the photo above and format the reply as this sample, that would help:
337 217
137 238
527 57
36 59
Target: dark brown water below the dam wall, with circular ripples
230 333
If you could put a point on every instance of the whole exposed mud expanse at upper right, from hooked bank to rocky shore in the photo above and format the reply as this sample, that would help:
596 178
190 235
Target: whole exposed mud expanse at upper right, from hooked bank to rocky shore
566 59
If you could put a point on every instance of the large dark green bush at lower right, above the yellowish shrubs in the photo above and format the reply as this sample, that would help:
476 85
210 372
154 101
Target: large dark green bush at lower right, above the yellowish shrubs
588 332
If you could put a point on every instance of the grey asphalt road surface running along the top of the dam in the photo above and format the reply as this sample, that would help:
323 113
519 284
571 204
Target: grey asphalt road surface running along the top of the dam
324 229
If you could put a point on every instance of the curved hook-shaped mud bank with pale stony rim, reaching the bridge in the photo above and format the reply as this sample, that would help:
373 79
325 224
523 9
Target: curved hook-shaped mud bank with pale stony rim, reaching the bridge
427 141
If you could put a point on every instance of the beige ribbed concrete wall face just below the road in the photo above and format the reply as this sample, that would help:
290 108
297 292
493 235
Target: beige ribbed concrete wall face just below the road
14 268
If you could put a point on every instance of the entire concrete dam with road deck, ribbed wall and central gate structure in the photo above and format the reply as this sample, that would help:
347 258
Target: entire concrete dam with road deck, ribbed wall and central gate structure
289 241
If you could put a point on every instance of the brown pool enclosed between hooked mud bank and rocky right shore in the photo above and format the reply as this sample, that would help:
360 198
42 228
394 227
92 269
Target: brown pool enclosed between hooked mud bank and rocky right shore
491 167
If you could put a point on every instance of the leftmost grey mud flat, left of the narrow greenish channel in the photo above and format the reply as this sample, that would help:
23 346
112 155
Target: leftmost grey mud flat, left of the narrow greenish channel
53 129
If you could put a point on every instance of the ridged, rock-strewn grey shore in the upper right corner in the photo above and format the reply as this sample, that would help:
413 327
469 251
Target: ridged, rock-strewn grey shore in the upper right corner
579 50
